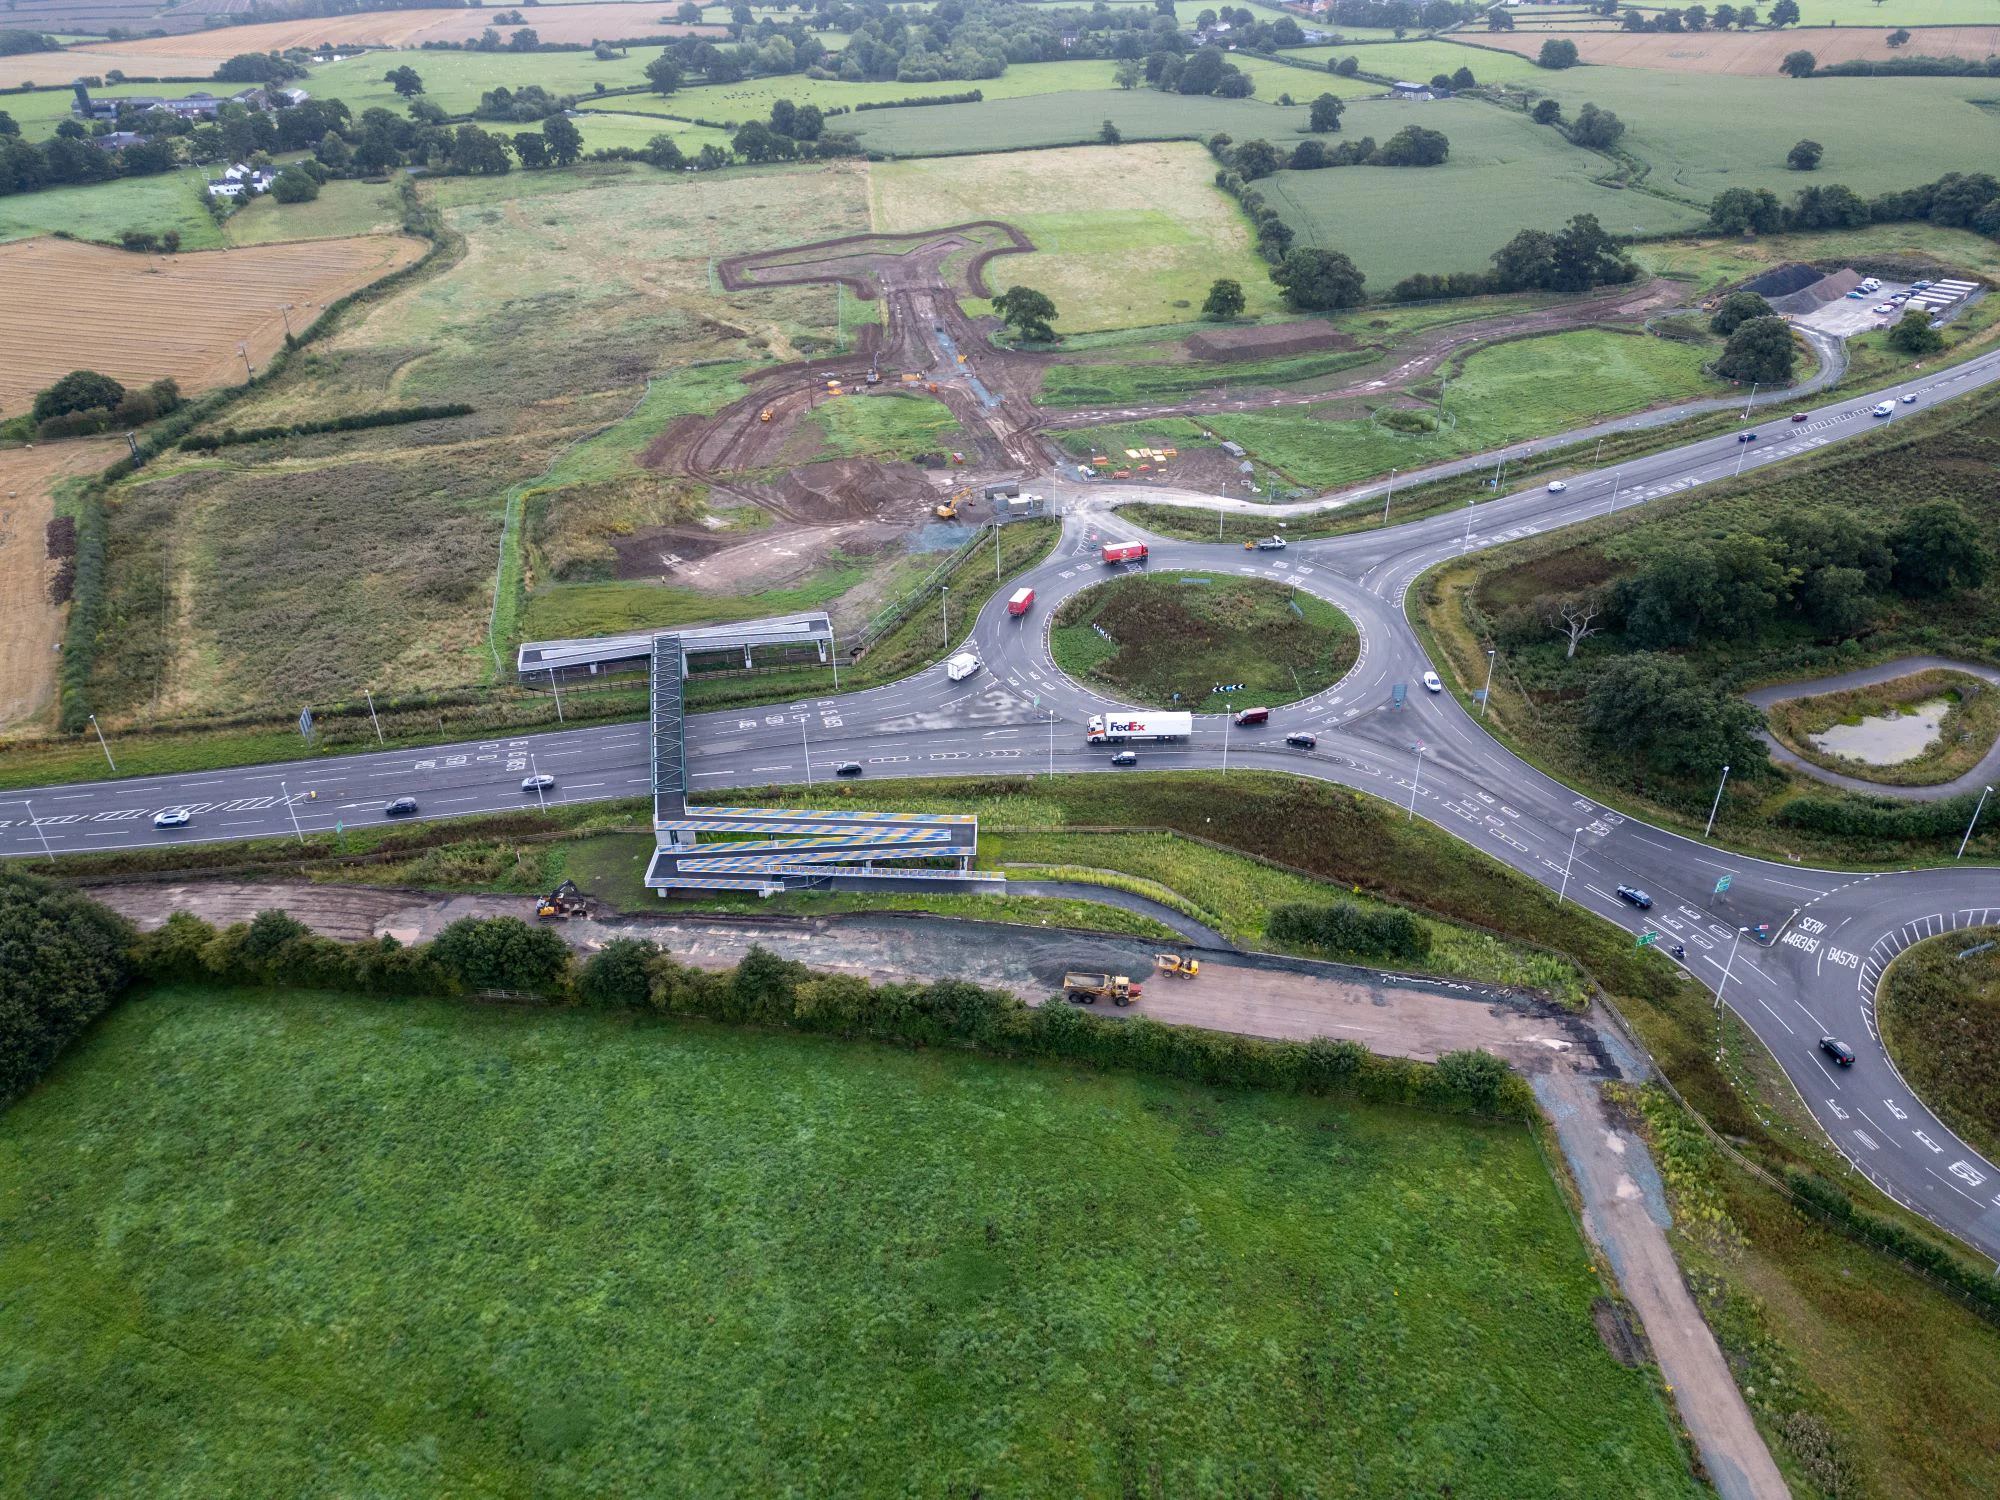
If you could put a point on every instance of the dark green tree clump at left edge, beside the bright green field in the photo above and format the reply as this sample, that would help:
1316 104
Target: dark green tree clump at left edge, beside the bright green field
61 967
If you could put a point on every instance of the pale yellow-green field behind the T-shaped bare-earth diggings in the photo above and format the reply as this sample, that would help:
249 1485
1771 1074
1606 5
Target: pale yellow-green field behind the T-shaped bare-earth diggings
1125 235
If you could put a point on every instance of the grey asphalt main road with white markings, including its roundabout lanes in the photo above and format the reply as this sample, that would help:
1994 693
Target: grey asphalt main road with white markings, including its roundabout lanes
1831 933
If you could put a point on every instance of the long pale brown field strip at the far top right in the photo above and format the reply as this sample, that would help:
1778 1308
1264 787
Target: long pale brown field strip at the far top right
1753 53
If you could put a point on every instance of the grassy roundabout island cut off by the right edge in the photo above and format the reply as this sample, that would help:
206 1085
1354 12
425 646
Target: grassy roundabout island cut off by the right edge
1941 1021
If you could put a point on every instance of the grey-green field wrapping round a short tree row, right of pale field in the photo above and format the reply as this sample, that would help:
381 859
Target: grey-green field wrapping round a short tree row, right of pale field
1505 175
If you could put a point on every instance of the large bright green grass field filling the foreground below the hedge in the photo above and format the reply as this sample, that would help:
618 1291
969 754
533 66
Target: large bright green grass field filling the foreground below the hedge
329 1243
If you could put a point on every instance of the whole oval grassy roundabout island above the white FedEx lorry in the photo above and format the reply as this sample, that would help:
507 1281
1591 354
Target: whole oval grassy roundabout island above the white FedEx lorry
1173 639
